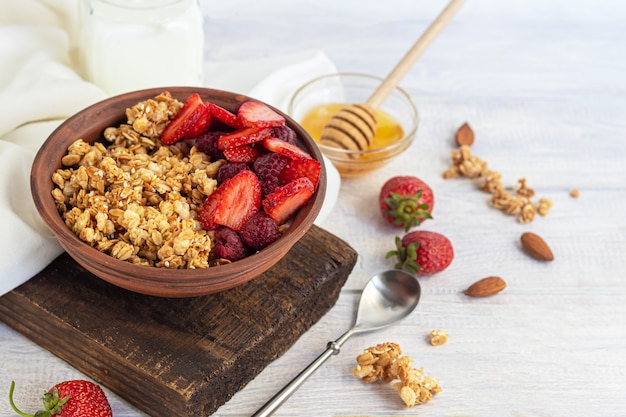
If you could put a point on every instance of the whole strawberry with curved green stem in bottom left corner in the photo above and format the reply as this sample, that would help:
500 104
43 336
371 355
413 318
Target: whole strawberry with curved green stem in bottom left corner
76 398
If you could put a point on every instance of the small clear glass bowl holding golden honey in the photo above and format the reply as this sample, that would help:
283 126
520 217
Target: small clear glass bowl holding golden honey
313 104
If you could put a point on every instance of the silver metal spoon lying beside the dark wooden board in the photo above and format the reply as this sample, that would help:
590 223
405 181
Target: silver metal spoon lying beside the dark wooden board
387 298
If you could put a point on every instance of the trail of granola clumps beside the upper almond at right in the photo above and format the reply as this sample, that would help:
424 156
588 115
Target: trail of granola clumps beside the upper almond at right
517 202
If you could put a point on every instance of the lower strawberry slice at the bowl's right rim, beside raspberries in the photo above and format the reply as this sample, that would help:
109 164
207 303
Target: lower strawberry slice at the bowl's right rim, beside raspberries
283 203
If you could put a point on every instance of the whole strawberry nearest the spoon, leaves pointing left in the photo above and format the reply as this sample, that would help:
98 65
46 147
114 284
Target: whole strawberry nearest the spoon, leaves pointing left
423 252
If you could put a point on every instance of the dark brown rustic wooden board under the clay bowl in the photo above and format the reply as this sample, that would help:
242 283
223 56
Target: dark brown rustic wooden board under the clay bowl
179 357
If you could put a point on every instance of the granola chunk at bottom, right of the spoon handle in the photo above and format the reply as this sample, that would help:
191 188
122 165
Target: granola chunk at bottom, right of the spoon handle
384 362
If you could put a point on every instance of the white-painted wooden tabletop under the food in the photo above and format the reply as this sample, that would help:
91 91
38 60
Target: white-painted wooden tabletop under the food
543 84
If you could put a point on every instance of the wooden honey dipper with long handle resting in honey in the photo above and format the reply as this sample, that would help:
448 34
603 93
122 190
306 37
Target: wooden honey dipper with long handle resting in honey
354 126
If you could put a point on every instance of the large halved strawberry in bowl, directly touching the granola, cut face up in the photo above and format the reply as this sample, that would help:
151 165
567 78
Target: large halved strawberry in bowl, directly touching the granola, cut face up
238 198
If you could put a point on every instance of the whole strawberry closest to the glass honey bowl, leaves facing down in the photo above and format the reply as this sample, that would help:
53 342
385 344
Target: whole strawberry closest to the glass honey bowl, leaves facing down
406 201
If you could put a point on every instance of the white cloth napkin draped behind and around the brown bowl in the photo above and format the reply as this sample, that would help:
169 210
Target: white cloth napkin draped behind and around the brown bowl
39 88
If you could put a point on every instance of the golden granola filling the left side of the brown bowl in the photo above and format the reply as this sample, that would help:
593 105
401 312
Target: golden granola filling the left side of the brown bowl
135 199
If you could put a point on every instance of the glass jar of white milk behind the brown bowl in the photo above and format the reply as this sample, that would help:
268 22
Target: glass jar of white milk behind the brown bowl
127 45
